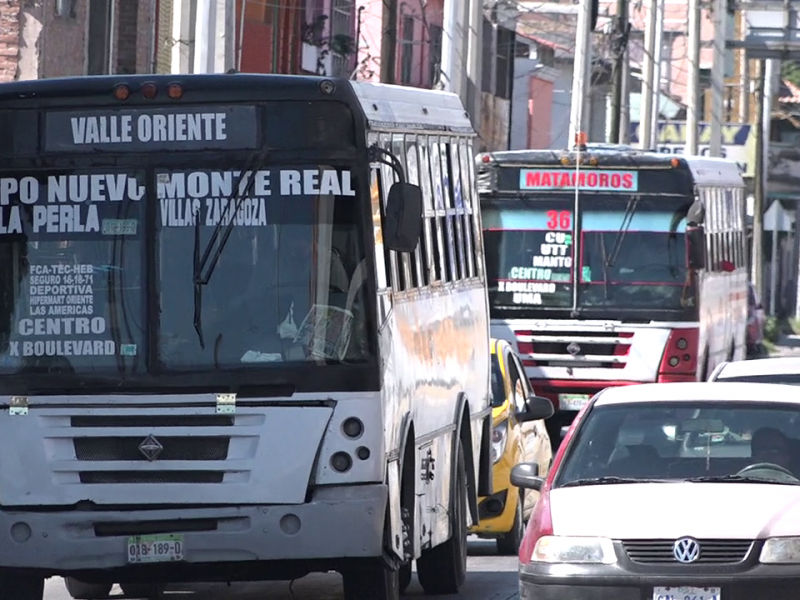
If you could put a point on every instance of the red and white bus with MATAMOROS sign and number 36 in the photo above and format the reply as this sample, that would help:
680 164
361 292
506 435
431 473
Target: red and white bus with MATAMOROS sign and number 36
612 266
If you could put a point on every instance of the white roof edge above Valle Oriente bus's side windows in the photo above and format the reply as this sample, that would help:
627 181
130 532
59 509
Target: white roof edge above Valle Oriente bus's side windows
397 107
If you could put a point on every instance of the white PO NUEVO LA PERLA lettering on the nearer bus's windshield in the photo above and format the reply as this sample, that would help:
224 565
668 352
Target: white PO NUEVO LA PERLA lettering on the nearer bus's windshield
62 203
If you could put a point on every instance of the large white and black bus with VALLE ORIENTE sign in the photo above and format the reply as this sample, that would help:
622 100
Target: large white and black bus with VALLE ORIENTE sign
232 345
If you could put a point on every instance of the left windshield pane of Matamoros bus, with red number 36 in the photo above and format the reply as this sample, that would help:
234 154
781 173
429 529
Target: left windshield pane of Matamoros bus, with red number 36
529 251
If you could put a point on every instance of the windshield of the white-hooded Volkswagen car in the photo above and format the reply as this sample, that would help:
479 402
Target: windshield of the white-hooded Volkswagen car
686 440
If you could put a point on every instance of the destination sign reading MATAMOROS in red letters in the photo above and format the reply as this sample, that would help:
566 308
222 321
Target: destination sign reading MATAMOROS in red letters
588 179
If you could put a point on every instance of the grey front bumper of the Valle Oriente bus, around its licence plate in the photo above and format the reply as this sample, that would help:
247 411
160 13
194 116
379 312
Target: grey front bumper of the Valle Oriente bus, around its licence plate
339 522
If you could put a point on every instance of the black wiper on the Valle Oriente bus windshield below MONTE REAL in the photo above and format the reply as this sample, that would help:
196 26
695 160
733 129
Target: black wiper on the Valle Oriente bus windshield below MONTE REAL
209 260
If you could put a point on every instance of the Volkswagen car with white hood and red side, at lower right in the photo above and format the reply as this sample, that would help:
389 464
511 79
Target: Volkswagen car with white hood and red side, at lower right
640 504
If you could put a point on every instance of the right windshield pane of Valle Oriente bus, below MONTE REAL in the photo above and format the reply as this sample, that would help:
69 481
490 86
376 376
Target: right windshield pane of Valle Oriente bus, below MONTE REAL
286 287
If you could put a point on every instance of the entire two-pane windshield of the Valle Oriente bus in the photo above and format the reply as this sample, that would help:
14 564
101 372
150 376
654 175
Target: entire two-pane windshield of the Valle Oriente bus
96 281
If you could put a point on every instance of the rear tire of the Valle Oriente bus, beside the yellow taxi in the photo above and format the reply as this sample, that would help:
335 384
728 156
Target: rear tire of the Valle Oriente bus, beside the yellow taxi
443 569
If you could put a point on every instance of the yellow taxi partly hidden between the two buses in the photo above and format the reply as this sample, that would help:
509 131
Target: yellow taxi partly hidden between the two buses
519 435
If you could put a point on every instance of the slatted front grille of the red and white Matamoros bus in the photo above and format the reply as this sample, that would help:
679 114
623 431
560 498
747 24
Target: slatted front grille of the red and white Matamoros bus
573 349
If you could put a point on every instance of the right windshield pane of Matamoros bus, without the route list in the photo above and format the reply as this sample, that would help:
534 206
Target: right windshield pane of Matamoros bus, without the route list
632 252
